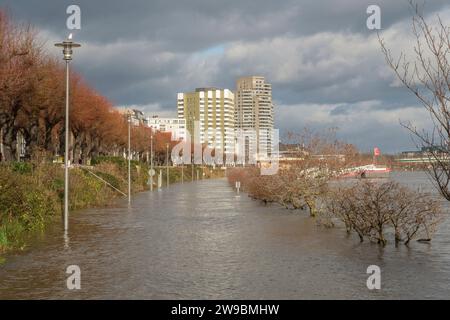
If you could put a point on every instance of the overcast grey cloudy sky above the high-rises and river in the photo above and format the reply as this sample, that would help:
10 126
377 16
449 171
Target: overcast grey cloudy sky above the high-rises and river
325 66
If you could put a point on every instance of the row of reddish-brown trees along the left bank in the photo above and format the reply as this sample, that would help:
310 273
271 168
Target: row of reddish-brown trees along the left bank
32 100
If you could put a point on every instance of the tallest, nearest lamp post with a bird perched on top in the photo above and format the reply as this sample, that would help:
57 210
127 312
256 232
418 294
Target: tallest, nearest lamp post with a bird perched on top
67 46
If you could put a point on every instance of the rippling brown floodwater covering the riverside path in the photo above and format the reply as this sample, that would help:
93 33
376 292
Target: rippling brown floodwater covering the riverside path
201 241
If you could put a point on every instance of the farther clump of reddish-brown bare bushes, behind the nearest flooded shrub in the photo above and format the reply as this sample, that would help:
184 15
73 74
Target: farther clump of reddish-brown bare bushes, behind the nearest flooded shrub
300 183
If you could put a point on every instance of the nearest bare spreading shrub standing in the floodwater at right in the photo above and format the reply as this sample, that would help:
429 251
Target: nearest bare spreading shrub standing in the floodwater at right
373 210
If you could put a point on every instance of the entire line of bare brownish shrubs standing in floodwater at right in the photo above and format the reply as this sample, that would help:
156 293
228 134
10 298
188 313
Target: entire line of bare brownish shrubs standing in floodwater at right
372 210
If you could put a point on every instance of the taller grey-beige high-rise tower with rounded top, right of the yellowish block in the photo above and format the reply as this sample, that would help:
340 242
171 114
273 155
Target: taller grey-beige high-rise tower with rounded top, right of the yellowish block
254 112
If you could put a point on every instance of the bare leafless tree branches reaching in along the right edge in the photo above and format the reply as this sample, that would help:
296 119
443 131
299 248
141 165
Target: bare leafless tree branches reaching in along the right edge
427 76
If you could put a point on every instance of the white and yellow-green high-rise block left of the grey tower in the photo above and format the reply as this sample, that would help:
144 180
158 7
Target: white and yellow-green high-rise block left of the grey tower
213 109
